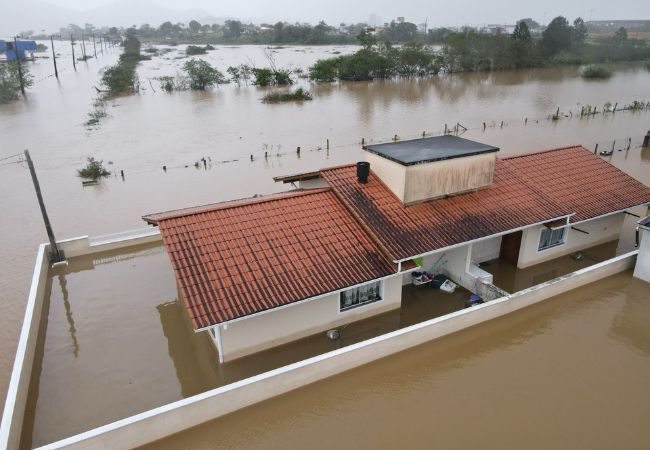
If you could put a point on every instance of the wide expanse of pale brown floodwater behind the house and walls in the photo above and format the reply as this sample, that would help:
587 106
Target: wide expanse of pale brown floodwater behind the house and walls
229 124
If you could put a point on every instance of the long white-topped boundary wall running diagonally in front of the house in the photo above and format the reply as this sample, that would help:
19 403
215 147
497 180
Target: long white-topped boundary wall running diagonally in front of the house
177 416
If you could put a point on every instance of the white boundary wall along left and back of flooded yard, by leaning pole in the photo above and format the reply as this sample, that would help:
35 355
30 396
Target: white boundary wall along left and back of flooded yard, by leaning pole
14 411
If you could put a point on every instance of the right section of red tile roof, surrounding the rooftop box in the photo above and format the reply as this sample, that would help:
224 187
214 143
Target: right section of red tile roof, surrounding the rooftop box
527 189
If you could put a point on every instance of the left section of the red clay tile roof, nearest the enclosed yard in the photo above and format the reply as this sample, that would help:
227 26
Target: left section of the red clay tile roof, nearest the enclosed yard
238 258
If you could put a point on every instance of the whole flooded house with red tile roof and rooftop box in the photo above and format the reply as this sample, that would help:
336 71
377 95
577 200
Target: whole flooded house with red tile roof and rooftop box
260 272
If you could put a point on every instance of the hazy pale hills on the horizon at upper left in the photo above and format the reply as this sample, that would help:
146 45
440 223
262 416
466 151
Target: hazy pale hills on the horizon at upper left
38 15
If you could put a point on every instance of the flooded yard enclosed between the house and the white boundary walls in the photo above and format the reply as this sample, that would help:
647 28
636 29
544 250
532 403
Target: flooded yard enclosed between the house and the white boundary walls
117 342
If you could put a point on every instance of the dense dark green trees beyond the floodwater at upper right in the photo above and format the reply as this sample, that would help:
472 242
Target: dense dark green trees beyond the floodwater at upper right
559 43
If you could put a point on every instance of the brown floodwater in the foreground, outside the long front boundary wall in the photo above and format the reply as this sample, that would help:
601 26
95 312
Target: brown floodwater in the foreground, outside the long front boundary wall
571 372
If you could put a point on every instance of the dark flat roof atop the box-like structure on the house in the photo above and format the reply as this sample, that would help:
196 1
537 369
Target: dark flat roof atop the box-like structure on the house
419 151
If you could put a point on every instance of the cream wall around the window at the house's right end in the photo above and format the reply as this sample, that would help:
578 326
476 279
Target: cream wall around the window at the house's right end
600 231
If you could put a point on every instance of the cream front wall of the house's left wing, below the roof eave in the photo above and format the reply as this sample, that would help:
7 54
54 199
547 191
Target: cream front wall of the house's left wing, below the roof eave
256 333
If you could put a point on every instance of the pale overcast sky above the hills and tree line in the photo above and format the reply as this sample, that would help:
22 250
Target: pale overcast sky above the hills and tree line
455 12
